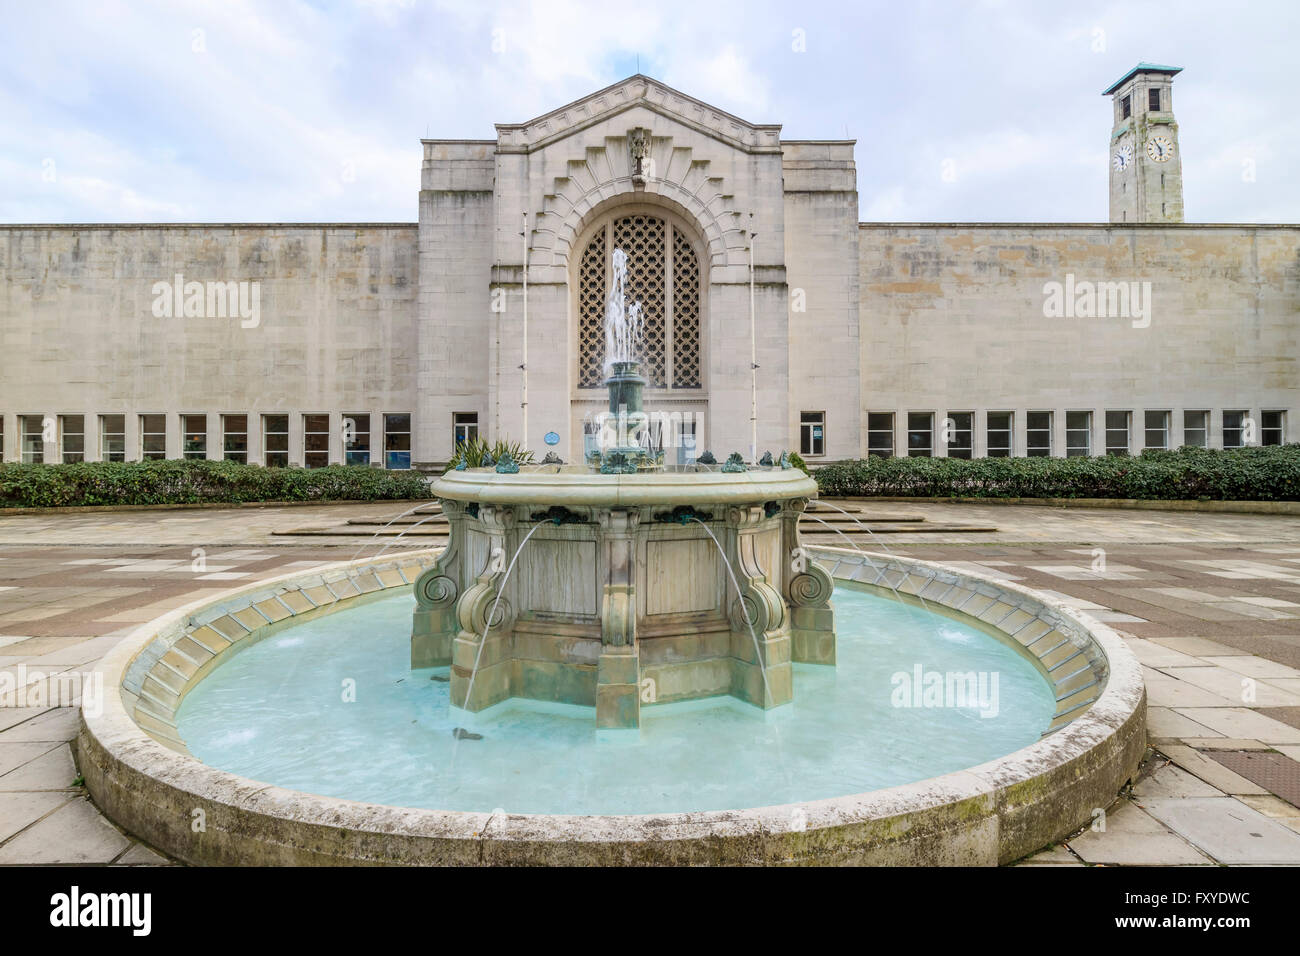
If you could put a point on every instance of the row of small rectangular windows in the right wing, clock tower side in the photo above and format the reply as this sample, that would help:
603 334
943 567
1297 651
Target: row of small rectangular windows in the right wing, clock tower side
1000 430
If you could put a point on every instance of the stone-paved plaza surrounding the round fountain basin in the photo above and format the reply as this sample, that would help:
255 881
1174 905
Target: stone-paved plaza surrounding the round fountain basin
1208 603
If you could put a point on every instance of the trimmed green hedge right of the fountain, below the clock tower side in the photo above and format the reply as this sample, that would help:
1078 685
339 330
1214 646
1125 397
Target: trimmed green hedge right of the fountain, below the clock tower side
1251 474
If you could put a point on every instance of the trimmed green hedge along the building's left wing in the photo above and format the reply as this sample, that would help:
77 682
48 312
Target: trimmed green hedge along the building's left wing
193 482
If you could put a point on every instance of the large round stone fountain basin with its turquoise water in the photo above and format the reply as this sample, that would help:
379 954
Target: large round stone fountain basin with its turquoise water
883 789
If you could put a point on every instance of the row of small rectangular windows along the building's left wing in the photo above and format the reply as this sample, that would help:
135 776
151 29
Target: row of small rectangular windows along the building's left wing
363 436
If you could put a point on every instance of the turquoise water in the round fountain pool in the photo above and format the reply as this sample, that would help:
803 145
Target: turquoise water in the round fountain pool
278 713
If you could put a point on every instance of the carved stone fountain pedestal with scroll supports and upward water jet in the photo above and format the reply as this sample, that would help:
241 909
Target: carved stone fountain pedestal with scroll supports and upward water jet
619 583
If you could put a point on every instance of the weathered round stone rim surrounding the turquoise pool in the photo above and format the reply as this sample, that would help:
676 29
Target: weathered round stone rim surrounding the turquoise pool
991 814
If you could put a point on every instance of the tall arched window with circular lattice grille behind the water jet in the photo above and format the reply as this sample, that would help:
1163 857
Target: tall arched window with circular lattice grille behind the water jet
664 276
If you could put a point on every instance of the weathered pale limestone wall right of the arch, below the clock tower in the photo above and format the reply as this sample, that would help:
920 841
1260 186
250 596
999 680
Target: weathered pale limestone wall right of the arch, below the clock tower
954 321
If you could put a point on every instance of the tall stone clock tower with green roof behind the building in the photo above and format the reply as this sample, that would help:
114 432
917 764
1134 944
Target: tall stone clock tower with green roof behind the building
1146 162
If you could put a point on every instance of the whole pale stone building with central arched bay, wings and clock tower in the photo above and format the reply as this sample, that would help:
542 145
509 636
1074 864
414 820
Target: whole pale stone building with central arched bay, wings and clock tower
385 344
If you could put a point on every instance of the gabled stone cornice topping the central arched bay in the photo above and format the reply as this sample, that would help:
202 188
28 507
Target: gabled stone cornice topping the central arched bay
629 94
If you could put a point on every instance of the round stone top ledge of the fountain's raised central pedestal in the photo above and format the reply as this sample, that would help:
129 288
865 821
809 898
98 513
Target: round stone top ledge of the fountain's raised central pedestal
577 486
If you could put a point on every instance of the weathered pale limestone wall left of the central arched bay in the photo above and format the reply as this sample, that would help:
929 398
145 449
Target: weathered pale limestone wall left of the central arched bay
333 330
